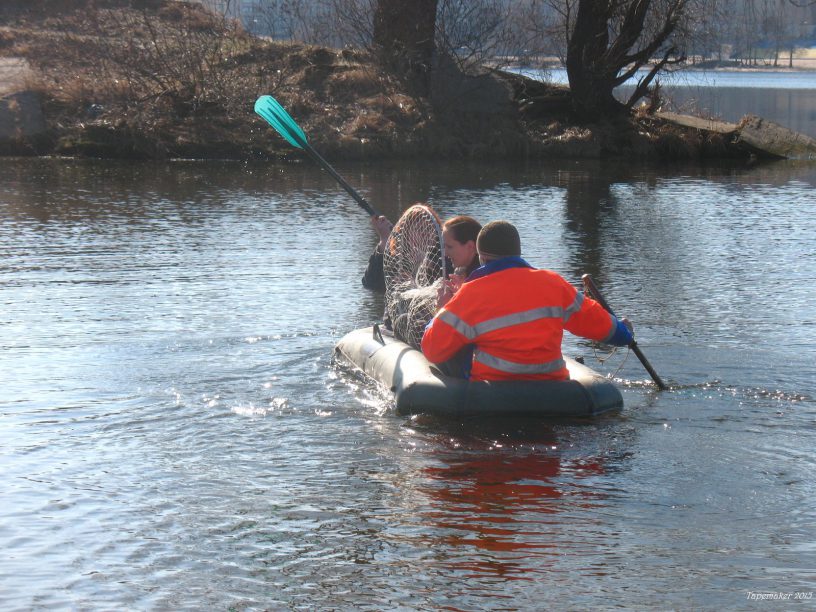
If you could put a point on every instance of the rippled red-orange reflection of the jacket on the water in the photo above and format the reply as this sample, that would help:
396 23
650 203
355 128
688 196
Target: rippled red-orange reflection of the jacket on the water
499 502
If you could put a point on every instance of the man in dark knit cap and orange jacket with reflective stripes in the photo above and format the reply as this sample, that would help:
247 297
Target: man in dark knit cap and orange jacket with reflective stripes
514 316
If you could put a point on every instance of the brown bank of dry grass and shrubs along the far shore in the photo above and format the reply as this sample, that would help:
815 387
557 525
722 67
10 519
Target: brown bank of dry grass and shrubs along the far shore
161 79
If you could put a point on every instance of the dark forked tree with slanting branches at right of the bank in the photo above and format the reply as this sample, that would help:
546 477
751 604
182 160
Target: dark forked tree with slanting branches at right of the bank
609 41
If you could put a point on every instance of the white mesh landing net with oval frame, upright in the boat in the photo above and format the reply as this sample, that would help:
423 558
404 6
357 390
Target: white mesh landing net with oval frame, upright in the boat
414 266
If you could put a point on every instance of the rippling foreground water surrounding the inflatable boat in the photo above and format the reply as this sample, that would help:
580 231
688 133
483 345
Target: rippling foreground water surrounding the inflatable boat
173 433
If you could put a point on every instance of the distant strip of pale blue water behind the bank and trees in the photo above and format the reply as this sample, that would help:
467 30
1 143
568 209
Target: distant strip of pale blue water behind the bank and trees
787 98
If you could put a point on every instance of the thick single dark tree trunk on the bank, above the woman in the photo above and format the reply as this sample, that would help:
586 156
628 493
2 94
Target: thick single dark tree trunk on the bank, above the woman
404 37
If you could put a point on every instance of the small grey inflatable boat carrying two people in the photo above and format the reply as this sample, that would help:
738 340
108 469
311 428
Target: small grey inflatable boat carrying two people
420 387
